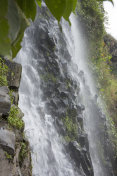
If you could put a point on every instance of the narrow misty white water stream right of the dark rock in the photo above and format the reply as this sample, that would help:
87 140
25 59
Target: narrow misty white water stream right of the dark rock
88 90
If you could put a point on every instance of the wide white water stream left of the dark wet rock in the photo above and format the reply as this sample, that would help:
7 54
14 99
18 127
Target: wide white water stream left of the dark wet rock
48 155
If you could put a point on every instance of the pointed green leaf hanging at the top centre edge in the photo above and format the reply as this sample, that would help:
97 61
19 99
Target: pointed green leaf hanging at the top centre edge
57 7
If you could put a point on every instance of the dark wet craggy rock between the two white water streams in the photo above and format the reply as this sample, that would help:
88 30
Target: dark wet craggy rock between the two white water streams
60 91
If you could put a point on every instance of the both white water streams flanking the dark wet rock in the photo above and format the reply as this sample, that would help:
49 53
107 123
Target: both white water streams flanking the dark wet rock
48 155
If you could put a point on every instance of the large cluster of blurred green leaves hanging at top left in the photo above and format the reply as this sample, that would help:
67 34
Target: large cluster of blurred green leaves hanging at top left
13 21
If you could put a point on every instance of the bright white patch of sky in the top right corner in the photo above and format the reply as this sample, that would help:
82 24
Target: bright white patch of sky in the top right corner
111 10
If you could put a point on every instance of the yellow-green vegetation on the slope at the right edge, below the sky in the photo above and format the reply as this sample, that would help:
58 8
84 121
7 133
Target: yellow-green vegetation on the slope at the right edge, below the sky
106 80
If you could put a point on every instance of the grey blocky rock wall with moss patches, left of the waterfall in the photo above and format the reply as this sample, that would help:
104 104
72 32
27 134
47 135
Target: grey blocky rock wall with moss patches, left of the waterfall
14 149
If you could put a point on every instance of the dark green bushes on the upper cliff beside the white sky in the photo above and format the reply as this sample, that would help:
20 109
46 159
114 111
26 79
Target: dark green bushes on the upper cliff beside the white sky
91 14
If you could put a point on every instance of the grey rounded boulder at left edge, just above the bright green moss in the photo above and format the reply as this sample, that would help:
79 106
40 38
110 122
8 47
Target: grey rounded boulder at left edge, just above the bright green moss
5 102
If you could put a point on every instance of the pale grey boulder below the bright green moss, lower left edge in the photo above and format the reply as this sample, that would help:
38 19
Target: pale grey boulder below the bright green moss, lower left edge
7 140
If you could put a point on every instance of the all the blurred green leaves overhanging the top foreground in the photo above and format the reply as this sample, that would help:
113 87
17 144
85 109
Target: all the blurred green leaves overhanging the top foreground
14 15
